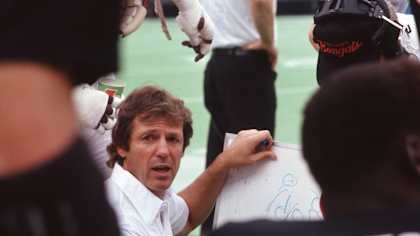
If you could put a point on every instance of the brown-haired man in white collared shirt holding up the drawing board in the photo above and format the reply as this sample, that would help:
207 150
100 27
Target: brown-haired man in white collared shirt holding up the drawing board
152 131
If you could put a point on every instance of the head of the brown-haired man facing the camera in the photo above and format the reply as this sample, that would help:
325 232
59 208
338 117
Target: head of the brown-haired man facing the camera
152 131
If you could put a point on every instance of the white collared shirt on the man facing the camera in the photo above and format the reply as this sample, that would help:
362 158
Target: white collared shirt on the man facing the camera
139 211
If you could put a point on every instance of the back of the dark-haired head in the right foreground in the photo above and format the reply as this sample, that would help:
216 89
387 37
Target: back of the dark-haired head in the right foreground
357 121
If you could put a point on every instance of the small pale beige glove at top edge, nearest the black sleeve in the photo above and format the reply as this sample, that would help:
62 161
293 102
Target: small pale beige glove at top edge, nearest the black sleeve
133 14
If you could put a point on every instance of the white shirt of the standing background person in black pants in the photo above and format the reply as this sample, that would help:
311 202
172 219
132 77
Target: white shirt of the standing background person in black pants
234 25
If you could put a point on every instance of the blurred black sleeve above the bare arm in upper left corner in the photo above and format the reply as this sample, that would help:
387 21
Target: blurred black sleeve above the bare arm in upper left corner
78 37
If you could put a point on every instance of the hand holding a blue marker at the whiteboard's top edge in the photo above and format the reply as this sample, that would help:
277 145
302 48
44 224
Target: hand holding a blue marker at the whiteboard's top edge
243 151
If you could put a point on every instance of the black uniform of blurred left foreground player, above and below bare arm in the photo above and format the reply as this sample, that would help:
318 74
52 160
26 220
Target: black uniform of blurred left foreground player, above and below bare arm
64 197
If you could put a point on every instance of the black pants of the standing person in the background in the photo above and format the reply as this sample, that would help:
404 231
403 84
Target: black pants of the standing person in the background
239 94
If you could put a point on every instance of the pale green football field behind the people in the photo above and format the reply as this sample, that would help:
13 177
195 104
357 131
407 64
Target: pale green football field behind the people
149 59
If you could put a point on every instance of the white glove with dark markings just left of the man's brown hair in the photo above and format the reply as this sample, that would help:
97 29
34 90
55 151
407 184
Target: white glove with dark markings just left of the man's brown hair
95 109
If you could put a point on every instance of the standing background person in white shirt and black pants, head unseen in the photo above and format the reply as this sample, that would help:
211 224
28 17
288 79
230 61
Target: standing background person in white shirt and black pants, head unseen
239 80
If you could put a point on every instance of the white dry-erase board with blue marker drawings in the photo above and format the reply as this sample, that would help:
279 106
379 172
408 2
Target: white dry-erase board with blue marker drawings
281 190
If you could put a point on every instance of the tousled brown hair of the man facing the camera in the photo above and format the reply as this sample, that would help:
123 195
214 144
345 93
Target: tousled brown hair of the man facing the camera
147 104
